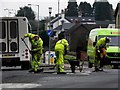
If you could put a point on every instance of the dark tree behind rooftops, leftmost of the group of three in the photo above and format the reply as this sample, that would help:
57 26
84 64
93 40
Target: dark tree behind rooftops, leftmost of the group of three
72 9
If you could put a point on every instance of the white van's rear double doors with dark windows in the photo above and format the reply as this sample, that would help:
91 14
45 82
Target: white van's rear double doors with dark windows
9 36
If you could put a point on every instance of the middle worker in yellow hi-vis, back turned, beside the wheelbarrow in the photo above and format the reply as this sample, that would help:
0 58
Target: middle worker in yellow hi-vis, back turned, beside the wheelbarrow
61 49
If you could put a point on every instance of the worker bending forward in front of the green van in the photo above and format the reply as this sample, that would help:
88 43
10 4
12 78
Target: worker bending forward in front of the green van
100 53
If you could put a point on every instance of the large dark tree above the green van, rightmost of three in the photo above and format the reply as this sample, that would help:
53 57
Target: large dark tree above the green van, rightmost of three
102 11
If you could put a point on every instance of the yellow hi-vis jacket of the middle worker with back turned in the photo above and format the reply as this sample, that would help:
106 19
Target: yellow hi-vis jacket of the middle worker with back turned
62 45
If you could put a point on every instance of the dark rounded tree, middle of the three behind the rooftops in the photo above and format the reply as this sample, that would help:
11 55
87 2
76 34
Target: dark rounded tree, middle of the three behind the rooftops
85 9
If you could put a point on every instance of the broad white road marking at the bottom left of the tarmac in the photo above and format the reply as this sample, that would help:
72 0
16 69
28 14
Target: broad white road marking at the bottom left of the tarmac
19 85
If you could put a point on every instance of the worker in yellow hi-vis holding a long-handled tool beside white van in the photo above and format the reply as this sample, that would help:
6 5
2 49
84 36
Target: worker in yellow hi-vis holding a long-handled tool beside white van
36 51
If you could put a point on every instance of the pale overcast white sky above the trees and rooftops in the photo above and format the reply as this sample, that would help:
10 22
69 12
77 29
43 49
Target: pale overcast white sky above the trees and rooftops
14 5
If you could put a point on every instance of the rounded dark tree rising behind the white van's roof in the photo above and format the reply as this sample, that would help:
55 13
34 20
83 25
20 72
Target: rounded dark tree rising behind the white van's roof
27 12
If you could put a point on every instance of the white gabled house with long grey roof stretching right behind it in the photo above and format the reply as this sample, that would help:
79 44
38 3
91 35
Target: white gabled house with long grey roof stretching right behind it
62 23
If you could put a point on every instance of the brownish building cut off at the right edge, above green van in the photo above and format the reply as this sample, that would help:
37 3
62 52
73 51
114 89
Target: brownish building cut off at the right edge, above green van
117 16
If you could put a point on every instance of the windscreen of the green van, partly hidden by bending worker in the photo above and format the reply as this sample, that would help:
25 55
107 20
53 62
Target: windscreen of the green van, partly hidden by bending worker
114 40
